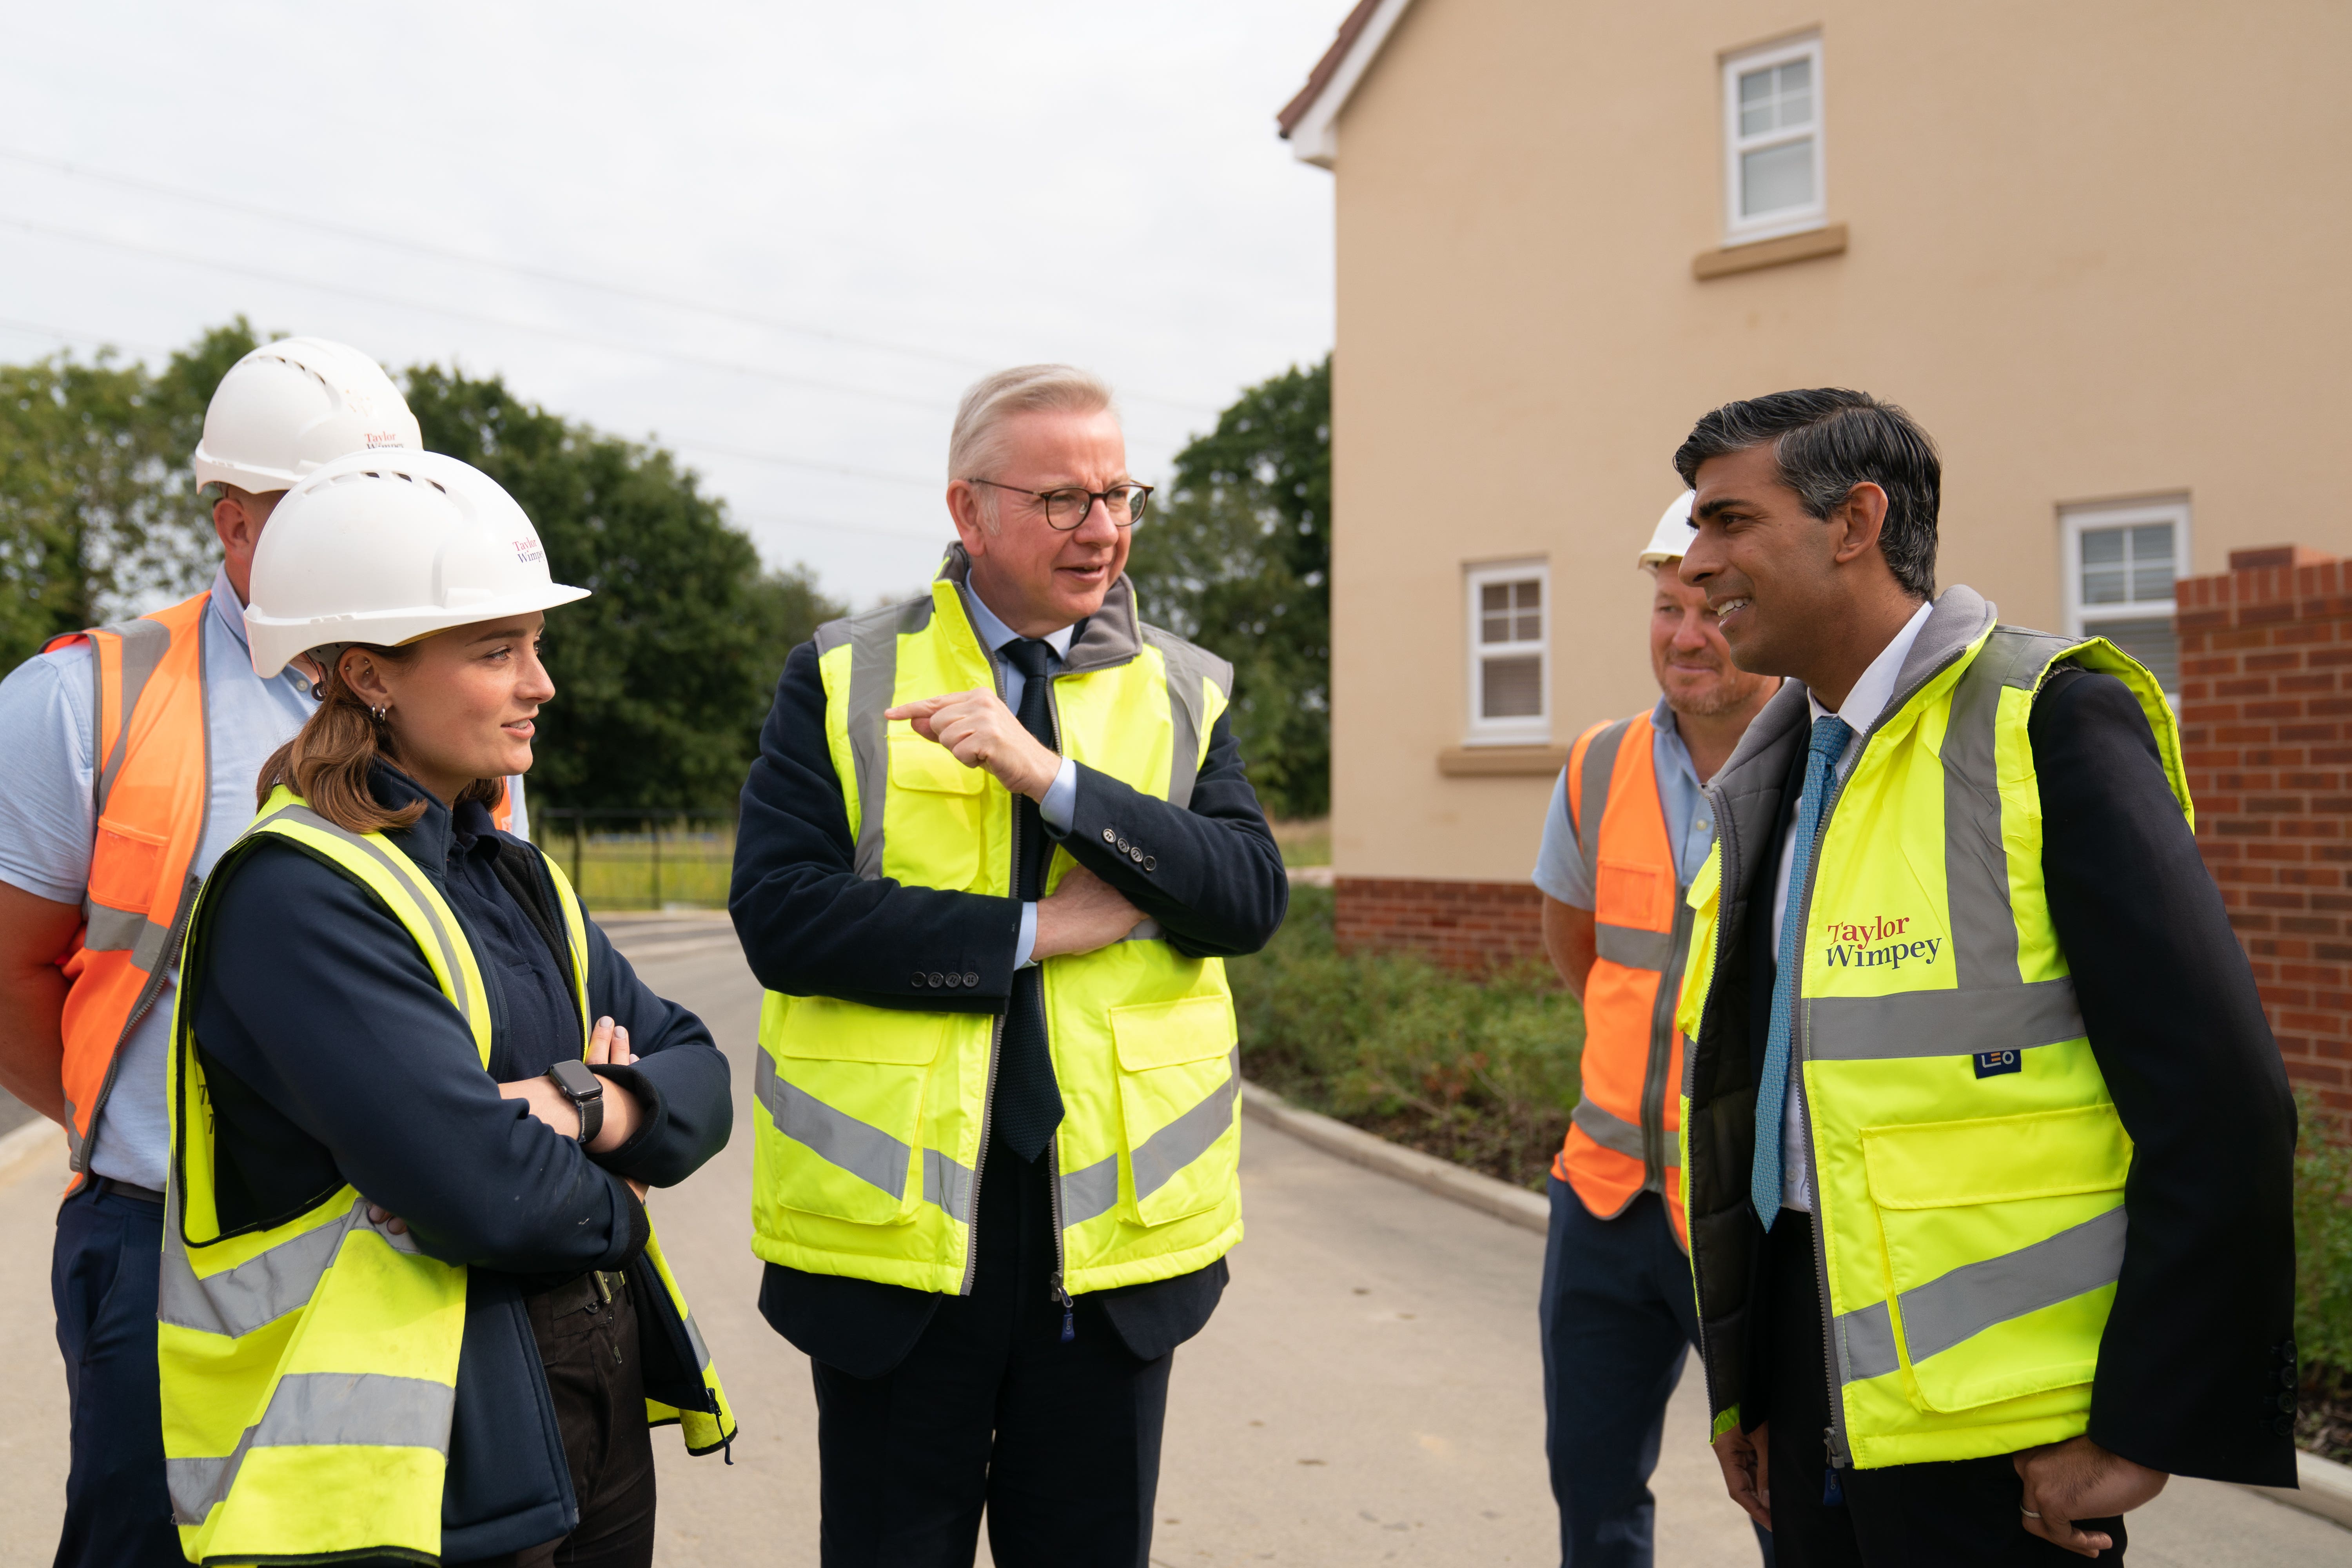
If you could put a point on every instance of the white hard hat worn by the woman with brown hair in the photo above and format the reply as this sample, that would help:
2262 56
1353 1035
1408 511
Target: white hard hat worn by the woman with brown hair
392 547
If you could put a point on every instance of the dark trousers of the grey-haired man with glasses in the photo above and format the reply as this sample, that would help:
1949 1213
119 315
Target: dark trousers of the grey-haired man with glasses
991 1409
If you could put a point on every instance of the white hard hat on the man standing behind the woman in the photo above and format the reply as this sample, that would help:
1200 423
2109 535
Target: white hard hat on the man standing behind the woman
293 406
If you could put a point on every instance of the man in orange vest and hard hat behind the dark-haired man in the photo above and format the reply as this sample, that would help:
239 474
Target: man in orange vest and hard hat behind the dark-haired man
1626 831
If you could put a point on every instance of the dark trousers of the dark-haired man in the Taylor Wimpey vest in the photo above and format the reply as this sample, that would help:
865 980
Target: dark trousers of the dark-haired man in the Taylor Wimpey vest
1953 1515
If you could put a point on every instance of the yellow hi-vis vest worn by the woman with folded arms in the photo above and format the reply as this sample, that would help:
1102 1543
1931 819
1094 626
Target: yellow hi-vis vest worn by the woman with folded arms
309 1369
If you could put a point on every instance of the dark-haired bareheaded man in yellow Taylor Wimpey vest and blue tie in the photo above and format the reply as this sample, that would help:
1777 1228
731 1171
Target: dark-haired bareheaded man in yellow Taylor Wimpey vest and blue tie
1989 1151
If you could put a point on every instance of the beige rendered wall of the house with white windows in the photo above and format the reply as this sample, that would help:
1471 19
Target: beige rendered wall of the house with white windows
2099 250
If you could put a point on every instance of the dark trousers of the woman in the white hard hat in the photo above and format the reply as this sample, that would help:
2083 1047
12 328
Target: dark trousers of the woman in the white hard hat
596 1381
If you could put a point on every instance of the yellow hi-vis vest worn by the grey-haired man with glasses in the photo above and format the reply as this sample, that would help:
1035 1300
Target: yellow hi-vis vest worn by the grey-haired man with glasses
874 1123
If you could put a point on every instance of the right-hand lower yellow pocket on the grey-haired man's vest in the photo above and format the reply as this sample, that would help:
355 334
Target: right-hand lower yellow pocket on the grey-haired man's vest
1180 1083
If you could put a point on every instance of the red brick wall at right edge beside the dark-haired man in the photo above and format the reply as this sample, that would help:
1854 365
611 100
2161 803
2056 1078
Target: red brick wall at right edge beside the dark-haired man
2266 704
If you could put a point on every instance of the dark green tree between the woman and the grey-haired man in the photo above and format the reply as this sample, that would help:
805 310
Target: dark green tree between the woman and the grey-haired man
667 674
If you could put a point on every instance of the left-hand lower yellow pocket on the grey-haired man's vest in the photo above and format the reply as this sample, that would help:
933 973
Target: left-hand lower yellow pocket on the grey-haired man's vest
843 1087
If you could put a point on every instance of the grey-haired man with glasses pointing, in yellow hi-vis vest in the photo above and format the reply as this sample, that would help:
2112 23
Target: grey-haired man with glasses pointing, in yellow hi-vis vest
994 855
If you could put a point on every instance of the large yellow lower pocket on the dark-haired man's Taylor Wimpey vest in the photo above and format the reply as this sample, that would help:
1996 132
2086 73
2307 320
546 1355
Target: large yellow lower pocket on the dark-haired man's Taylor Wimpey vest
2005 1238
